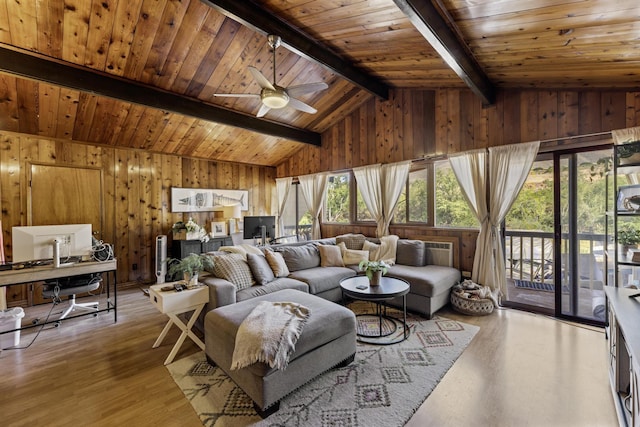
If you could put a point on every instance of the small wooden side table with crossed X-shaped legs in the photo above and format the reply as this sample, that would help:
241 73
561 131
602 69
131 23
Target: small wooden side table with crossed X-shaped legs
172 304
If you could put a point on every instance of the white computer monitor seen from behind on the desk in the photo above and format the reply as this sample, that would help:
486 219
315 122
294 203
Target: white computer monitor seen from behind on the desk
36 242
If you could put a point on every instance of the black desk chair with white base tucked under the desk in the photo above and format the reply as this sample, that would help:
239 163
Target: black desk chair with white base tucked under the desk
70 286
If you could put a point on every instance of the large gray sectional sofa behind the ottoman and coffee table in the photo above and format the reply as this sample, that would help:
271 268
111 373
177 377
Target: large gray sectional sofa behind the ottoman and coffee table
308 272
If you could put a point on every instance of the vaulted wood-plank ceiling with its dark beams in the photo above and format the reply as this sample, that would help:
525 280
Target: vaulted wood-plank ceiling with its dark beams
143 73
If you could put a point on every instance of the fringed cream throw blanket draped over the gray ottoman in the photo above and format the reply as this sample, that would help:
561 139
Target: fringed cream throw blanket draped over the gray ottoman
269 334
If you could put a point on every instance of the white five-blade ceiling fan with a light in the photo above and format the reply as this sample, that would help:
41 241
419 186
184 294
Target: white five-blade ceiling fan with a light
274 96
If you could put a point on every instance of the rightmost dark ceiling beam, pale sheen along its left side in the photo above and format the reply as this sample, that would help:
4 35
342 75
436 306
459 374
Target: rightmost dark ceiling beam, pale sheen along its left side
427 19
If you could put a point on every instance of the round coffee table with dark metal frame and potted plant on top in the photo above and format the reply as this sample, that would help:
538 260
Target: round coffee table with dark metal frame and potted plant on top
358 288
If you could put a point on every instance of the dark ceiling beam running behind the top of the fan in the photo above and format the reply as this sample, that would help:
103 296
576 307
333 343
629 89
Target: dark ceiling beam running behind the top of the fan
264 22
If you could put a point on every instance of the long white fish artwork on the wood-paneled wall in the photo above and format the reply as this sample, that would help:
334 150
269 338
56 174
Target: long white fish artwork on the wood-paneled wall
203 200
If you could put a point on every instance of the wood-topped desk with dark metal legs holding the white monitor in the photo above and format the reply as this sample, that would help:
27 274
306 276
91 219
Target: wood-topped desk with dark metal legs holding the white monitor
47 272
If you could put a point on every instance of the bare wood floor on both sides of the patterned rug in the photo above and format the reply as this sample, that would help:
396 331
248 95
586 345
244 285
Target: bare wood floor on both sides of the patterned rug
520 370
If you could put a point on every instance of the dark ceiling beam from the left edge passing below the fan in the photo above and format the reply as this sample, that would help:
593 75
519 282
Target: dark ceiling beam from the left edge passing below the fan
44 69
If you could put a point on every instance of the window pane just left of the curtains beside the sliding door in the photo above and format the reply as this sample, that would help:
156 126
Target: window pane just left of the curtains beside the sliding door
452 209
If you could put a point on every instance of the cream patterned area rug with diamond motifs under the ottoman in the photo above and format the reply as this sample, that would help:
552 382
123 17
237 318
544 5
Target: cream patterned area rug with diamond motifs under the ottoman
384 386
